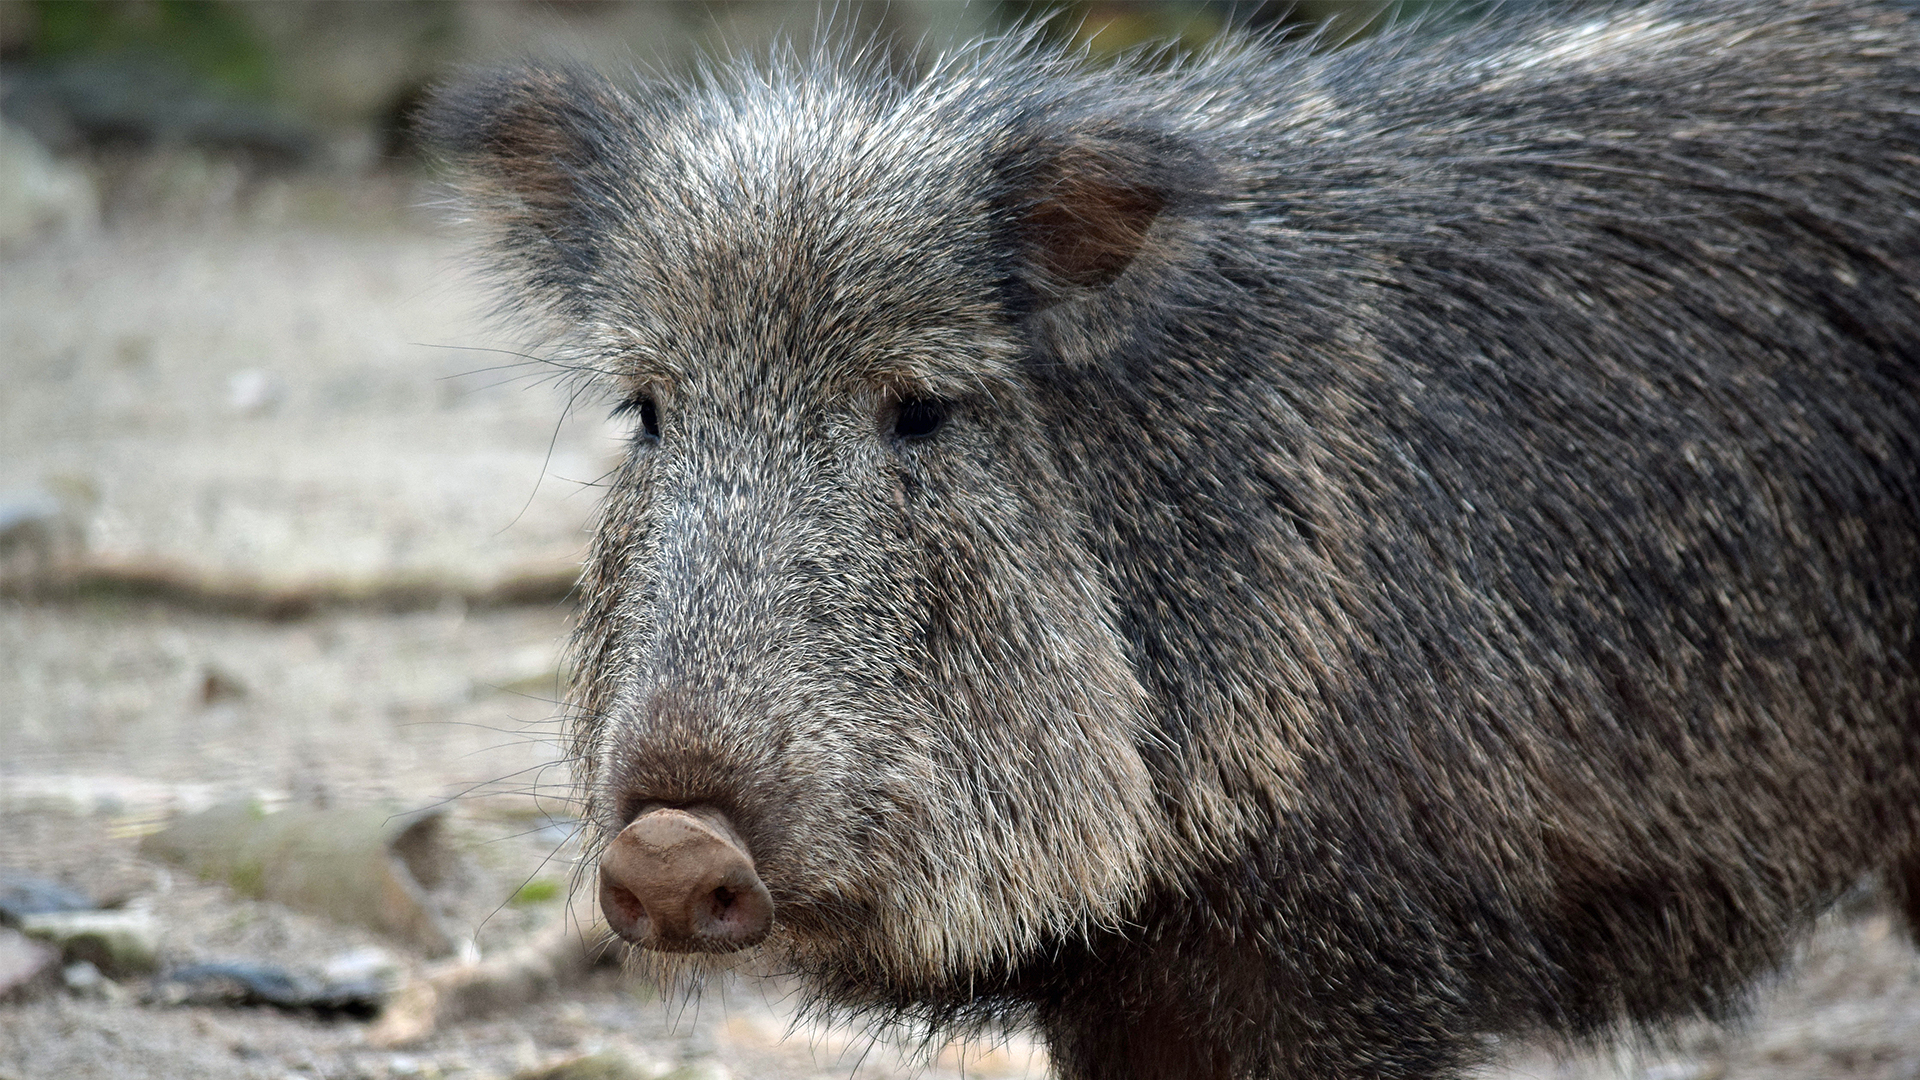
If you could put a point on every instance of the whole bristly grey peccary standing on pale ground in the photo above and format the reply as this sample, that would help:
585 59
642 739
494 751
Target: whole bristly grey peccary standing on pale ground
1272 566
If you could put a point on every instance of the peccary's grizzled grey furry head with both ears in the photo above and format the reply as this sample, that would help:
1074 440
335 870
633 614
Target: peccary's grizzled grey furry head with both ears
842 597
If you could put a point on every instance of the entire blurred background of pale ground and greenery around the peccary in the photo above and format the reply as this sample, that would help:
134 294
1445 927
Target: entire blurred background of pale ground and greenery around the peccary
287 531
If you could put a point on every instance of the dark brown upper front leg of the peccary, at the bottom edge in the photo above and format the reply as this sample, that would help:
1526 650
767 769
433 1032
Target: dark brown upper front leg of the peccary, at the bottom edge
1207 998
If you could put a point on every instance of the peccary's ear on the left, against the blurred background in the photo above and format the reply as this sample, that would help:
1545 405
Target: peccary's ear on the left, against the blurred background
540 149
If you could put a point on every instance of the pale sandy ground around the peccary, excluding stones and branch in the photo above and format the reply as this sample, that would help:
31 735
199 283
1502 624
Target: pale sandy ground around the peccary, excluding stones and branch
289 389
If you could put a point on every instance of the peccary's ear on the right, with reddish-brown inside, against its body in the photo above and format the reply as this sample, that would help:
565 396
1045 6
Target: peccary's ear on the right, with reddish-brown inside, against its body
1084 205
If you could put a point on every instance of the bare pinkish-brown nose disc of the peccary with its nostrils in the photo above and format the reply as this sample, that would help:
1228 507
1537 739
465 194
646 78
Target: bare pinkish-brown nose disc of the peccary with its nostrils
681 881
